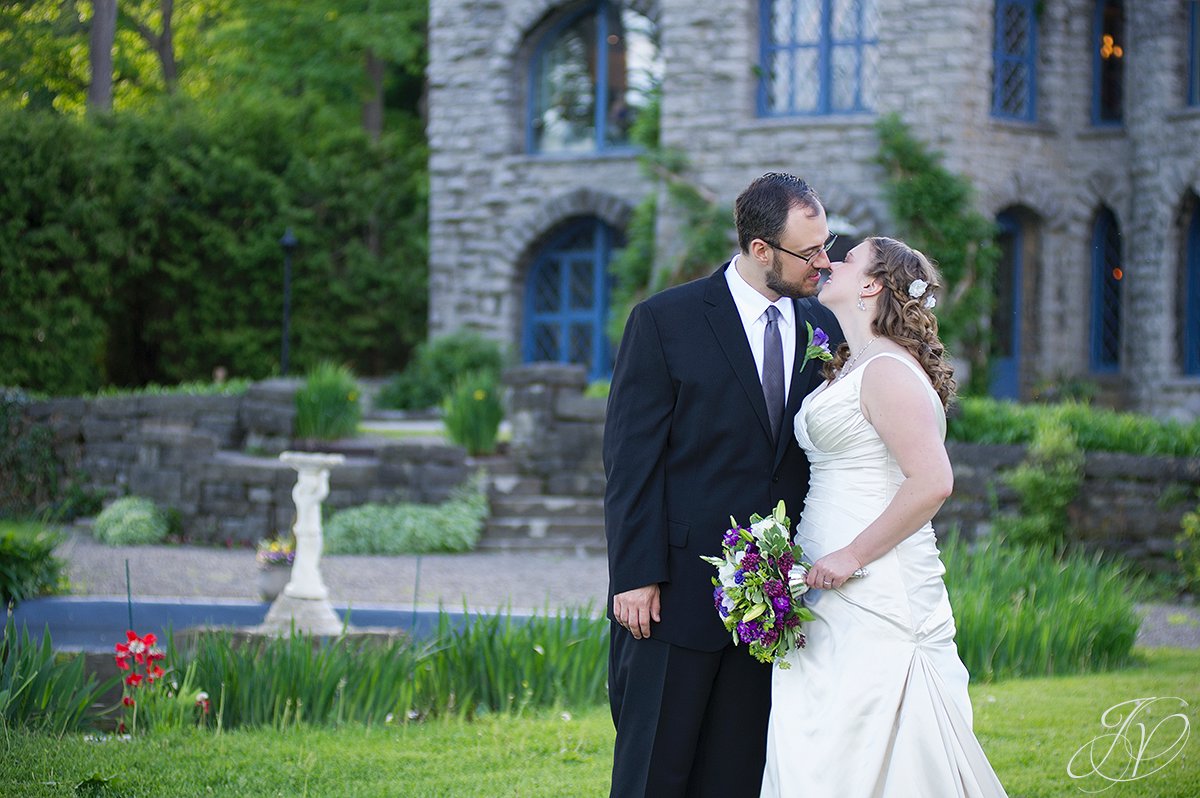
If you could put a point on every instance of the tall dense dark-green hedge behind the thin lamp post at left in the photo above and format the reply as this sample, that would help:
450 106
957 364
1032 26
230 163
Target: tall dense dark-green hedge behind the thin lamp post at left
146 248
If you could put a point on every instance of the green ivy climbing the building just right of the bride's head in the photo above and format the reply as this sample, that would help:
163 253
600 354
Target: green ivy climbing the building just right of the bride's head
933 211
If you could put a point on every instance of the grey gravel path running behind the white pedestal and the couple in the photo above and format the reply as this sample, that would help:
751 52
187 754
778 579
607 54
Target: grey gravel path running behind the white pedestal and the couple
479 581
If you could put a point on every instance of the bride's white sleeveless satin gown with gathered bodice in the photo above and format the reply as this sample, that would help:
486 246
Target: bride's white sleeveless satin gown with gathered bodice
877 705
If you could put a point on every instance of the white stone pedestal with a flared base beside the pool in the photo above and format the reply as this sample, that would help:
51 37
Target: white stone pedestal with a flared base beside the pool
304 604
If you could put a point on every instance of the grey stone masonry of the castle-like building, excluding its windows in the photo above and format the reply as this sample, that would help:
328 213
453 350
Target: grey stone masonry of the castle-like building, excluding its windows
491 203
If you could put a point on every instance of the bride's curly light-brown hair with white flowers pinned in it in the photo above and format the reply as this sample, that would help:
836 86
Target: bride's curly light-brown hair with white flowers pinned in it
904 319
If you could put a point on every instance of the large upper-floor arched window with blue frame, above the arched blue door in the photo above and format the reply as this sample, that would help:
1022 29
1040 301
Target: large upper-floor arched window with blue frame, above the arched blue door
591 77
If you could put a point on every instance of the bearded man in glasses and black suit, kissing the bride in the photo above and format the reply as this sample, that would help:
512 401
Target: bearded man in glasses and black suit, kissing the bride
699 428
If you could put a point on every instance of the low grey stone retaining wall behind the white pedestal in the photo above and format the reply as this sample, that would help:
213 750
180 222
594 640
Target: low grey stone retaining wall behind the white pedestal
214 459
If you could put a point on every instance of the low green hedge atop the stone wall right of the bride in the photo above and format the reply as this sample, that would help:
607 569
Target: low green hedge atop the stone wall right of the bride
987 421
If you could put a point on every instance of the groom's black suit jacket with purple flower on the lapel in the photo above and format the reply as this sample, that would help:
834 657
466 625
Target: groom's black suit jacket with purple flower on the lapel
688 445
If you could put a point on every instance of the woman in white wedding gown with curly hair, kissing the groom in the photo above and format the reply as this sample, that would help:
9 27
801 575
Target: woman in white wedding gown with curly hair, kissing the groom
877 705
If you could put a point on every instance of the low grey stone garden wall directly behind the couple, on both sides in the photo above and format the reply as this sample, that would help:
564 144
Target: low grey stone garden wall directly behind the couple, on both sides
1129 505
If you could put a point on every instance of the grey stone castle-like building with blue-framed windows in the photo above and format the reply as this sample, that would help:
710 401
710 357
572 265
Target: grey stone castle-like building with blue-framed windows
1078 122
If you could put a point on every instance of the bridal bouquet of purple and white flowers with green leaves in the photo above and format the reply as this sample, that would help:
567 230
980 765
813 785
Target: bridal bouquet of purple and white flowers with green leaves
758 593
